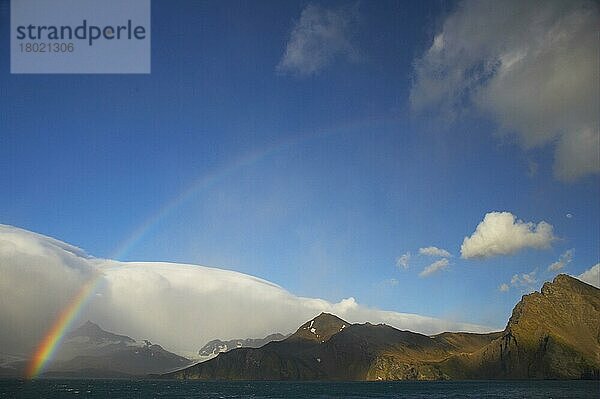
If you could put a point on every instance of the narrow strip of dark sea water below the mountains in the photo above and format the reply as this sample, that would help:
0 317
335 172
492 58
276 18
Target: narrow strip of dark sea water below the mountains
130 389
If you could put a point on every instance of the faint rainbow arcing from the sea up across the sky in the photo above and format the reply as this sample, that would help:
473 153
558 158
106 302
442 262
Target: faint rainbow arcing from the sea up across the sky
54 336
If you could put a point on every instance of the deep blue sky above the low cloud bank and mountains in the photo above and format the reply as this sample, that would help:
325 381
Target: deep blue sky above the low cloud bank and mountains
317 166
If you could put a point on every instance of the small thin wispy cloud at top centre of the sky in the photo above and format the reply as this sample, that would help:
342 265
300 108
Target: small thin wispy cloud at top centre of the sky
318 38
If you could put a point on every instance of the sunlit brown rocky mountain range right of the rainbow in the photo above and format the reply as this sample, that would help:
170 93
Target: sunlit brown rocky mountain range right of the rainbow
552 334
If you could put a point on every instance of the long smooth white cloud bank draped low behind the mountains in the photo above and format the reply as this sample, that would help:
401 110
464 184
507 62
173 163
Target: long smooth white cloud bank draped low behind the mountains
179 306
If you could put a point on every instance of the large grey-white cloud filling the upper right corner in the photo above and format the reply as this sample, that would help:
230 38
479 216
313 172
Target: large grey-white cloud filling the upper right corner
532 66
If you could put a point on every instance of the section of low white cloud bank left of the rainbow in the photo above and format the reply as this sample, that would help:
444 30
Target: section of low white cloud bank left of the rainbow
38 275
